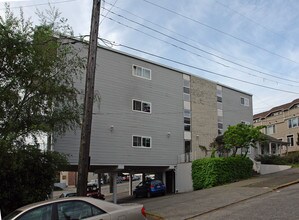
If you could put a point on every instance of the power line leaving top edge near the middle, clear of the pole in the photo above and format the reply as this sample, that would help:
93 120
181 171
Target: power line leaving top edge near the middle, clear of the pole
220 31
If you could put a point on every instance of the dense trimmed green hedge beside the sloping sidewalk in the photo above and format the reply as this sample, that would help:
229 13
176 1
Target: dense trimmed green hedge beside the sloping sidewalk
209 172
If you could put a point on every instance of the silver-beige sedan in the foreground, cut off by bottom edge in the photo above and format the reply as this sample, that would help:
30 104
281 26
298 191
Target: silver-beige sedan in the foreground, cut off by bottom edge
78 208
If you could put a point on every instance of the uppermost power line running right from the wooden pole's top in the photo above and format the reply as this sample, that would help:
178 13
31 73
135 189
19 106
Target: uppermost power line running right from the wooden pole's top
185 37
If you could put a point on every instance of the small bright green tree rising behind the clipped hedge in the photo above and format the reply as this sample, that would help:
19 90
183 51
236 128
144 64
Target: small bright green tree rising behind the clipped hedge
241 136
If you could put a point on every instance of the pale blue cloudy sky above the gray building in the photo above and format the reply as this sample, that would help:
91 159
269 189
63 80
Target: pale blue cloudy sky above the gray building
250 45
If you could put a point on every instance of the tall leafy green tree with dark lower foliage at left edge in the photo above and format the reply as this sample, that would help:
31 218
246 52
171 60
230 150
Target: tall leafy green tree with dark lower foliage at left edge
37 97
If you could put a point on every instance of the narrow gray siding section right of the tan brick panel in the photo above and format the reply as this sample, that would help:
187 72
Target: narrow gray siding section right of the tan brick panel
233 111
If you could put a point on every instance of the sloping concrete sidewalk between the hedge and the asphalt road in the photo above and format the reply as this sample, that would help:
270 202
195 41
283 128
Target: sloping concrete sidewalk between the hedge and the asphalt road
192 205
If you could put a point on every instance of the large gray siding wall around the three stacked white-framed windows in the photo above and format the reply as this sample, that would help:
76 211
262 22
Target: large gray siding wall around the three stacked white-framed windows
117 87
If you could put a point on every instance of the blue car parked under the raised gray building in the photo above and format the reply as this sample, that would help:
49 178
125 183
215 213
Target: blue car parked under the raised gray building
149 188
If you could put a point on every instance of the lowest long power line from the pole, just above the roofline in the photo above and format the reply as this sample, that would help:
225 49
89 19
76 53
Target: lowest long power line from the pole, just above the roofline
201 69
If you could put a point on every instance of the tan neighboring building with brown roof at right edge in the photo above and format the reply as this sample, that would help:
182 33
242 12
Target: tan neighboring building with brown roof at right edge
282 123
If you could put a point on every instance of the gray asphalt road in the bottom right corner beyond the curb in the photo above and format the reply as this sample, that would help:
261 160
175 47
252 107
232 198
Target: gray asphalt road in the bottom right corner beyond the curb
278 205
